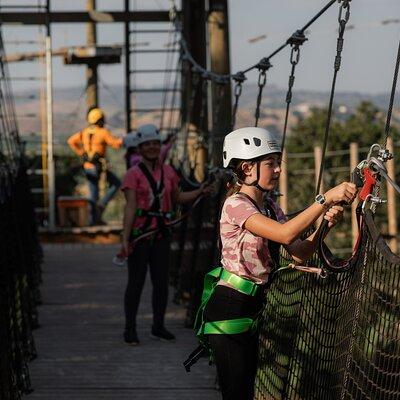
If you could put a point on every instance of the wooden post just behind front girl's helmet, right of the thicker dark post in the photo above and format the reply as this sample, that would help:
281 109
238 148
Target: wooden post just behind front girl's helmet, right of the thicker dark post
218 28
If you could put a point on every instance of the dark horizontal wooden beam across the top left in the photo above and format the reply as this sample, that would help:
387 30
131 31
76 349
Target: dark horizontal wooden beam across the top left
38 18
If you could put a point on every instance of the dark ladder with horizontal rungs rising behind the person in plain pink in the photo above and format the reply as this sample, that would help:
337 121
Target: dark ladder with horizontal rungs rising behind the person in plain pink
153 92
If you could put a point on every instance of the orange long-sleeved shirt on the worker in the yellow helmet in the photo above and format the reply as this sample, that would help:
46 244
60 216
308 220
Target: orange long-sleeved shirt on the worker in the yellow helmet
91 140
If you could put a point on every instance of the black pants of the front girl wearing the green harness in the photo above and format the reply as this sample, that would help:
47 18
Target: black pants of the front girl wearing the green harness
235 355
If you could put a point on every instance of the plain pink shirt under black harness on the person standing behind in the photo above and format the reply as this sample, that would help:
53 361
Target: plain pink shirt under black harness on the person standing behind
135 179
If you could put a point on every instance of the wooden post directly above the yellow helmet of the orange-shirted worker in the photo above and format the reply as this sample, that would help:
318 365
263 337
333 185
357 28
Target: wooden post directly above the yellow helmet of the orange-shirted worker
91 71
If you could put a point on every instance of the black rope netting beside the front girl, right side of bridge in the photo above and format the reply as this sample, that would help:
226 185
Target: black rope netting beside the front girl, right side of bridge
333 338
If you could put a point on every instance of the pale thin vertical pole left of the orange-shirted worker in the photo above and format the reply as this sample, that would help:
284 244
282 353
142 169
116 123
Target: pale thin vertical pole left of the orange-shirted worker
49 110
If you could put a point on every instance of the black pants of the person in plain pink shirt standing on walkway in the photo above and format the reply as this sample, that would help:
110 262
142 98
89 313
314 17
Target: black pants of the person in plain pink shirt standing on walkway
154 253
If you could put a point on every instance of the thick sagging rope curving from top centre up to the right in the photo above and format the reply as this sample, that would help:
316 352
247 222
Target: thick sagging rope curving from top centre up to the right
215 76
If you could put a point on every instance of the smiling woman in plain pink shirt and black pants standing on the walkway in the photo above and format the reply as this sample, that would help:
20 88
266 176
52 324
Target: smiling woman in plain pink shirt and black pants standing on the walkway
151 192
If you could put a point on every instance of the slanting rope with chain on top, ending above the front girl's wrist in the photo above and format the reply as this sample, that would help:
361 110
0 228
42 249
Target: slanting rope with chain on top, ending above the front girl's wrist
343 19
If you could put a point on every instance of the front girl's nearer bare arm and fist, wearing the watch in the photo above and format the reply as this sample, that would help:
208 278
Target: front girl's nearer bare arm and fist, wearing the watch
288 232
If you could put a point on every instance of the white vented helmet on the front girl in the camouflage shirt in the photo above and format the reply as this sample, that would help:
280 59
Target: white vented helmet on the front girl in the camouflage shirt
249 143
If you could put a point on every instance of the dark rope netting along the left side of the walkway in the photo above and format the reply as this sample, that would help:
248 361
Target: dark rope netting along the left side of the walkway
20 254
